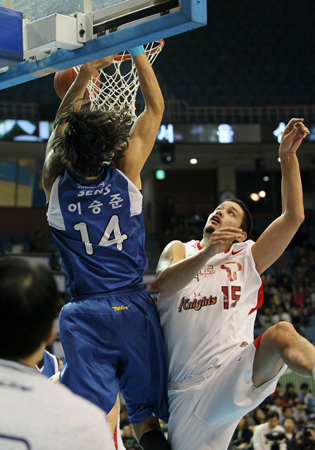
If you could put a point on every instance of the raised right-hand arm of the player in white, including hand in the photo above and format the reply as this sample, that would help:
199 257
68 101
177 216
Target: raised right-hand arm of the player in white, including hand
278 235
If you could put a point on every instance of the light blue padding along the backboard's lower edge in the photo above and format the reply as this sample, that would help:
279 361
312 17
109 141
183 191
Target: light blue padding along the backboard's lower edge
192 14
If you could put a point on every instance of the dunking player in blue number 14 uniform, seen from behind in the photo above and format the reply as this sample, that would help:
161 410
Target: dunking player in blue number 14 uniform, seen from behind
110 329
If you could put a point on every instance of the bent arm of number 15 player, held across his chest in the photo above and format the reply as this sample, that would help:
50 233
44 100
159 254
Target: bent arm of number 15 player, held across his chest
175 271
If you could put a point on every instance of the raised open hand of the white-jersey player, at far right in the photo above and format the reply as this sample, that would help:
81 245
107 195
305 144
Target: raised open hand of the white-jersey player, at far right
293 135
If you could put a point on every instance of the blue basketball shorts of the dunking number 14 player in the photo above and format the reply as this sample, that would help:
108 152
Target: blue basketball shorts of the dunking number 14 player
114 343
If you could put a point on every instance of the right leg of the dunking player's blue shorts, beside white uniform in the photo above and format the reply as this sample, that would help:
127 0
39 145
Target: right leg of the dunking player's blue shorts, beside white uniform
144 375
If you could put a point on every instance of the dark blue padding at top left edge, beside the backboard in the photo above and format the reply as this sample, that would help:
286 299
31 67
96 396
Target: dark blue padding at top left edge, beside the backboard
11 37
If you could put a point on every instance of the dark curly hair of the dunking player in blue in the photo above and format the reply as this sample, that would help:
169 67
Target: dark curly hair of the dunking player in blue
92 139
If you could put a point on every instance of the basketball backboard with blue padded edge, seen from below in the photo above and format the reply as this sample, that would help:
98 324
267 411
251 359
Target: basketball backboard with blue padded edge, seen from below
64 33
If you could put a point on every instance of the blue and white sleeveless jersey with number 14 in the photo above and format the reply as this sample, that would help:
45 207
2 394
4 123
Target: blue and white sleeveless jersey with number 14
98 226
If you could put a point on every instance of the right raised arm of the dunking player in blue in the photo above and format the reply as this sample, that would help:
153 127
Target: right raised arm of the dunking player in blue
146 127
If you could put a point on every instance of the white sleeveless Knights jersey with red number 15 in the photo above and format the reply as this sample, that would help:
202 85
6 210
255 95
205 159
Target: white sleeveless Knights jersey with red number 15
213 314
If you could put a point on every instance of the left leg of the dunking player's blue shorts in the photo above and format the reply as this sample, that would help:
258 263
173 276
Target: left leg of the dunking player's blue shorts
91 342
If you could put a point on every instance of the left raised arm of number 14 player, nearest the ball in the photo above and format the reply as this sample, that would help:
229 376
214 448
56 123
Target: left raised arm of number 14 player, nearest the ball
52 165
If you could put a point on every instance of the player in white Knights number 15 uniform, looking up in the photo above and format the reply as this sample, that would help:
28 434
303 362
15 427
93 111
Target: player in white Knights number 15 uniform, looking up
209 294
